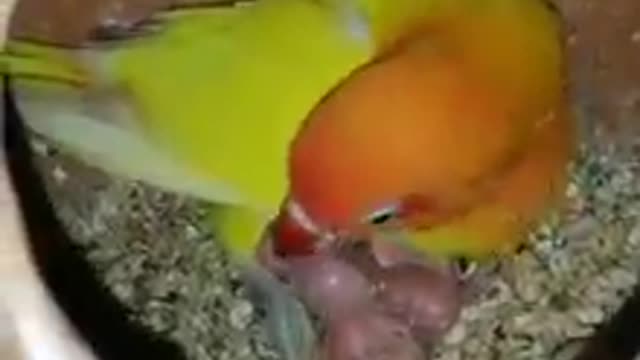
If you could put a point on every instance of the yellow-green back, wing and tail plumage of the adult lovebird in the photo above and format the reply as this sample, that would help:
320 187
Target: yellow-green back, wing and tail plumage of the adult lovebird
206 105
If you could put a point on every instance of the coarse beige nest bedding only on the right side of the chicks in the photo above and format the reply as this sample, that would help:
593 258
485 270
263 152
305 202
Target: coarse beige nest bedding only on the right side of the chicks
544 302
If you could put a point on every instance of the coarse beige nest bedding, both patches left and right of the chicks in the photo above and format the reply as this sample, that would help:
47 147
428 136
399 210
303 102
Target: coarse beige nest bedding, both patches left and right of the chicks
158 257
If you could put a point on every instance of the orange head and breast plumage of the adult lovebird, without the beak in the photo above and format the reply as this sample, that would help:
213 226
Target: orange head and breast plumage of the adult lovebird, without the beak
466 119
